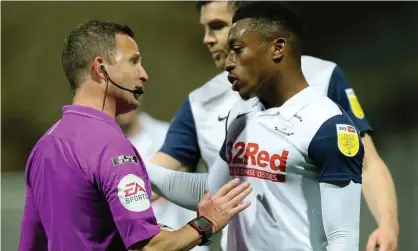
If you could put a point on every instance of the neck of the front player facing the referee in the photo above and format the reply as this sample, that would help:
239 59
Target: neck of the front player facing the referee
286 86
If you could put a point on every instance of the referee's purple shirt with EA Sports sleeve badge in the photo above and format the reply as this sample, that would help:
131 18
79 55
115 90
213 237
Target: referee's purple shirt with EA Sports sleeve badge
86 187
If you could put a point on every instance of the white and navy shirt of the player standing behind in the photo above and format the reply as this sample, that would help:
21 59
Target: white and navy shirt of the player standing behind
198 128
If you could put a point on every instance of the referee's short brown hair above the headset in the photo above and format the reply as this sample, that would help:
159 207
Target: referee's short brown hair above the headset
87 41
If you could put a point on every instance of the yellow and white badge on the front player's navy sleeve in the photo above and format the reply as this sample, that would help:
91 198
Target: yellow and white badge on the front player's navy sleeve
348 140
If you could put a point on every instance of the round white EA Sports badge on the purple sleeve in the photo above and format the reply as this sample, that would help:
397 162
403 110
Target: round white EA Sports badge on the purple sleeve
132 193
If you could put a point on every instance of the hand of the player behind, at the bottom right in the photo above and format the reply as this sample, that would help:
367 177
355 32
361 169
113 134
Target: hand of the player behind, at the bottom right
384 239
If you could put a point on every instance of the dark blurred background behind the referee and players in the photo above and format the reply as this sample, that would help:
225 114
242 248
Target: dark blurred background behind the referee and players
375 43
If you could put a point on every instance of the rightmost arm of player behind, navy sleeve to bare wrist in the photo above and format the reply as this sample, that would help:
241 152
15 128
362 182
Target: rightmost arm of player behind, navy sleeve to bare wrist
378 187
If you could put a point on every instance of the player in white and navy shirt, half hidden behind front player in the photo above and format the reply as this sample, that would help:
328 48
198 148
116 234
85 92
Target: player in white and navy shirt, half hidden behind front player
197 130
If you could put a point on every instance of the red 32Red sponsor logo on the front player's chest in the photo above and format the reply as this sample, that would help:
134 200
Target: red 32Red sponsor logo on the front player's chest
242 156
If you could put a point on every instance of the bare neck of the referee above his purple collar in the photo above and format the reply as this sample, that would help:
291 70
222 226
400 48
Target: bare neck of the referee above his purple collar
92 98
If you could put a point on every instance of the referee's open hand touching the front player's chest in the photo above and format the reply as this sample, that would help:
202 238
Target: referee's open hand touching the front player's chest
220 208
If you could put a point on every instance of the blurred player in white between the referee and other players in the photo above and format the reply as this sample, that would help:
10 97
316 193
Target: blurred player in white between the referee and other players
147 135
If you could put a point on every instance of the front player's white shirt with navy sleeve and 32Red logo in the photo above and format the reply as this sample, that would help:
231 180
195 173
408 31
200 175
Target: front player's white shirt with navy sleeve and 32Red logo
285 153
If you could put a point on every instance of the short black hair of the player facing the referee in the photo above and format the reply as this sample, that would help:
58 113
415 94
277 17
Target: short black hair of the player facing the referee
273 19
